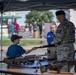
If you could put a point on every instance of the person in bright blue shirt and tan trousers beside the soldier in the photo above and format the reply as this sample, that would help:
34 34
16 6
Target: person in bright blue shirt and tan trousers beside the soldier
51 51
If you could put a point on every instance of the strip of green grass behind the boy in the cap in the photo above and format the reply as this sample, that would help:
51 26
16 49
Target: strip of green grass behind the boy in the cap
23 42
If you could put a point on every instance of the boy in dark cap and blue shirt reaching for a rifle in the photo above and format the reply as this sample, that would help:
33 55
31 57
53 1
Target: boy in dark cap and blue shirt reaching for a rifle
16 50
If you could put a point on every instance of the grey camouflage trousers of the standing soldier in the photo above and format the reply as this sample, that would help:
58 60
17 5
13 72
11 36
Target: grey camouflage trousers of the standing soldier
65 52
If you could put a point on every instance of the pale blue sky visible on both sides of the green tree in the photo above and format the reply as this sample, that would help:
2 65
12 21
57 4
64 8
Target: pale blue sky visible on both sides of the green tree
21 21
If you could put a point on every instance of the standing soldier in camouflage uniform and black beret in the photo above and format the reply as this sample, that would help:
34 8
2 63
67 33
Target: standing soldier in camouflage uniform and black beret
64 39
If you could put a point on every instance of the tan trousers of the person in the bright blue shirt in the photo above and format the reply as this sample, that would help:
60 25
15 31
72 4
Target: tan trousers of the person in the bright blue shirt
51 52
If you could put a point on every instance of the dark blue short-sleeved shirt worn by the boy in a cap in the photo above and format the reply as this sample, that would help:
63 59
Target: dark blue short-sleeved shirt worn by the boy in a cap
15 51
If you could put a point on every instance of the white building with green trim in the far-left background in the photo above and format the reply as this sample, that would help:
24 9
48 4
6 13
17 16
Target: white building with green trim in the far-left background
4 21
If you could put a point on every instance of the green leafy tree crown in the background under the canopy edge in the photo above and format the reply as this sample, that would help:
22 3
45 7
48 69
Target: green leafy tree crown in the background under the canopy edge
45 16
